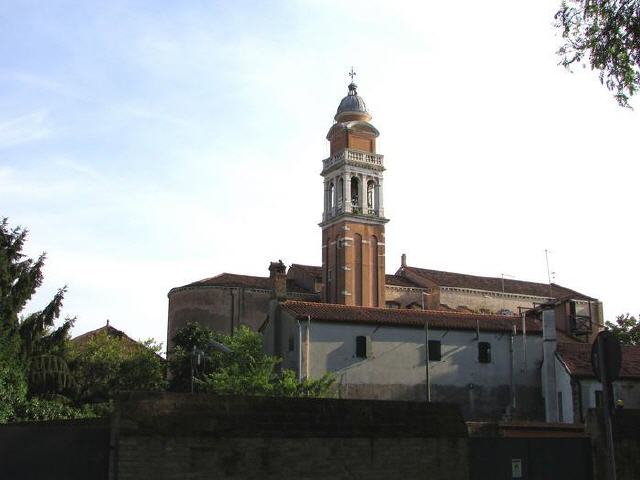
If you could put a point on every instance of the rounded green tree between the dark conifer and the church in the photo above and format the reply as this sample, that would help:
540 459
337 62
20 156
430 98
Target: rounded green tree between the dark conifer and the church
106 365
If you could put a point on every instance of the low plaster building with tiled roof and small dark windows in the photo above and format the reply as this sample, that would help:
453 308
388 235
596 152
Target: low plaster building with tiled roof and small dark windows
487 364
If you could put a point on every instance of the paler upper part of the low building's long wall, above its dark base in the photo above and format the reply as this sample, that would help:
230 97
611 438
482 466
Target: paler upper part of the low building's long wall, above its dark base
398 356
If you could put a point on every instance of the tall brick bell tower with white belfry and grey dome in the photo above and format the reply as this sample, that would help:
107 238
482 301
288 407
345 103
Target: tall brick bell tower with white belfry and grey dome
353 267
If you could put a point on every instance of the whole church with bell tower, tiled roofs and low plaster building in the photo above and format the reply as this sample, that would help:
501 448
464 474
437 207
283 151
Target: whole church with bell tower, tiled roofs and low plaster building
417 334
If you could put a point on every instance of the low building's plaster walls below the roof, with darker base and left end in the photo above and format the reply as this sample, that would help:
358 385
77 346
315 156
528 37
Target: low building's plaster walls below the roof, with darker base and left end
396 367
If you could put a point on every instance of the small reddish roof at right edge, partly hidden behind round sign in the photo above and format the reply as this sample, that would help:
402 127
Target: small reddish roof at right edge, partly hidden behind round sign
577 360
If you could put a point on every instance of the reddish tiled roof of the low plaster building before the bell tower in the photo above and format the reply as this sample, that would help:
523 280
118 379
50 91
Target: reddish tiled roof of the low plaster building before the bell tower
404 317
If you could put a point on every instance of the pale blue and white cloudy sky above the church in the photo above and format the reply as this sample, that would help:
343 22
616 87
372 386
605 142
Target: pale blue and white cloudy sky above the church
149 144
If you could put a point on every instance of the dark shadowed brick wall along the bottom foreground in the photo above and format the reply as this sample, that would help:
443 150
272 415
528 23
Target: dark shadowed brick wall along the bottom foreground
175 436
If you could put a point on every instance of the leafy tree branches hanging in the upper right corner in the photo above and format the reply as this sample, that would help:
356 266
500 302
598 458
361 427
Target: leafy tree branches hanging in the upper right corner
605 34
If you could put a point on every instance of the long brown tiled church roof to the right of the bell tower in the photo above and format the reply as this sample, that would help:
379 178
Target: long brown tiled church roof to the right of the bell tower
492 284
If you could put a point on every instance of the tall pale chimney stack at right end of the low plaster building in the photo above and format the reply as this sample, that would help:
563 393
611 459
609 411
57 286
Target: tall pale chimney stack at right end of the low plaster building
549 384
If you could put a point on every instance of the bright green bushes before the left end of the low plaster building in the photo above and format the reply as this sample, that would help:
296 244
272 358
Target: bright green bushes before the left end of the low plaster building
247 370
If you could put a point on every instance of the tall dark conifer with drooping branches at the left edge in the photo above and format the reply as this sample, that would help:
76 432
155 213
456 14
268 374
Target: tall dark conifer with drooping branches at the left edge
31 347
